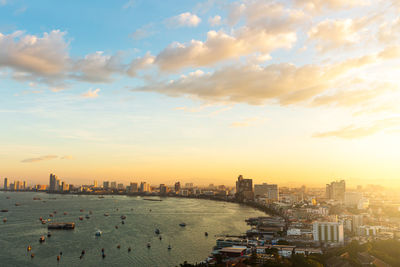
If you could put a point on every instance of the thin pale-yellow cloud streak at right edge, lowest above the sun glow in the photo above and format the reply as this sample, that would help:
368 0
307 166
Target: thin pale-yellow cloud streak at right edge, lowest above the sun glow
353 131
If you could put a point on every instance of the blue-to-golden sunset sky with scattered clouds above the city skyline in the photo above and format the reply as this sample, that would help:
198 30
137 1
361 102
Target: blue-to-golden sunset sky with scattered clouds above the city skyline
290 92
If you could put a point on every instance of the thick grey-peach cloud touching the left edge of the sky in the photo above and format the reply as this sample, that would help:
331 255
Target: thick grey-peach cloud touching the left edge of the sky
45 56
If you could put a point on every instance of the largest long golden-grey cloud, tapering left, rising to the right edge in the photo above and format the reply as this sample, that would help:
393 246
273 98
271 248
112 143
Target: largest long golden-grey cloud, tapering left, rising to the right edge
253 84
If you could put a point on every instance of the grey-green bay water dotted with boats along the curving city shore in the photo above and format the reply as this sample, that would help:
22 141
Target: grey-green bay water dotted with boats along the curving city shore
188 243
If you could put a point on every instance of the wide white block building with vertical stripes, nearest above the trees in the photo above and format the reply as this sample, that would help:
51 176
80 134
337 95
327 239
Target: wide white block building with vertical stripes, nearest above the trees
328 232
